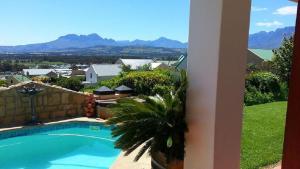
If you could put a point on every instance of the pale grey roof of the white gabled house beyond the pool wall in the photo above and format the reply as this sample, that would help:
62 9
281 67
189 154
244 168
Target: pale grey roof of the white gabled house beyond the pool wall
107 69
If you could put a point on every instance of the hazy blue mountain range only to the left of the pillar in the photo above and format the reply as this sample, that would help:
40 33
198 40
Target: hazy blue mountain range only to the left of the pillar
72 41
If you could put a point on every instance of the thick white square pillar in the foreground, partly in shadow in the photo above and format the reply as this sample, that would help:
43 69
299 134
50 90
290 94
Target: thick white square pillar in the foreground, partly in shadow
216 69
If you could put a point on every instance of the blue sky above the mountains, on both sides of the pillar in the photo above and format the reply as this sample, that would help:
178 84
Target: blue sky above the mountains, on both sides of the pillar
34 21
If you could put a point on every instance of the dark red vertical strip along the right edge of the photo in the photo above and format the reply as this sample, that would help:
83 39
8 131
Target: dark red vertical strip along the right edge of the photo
291 153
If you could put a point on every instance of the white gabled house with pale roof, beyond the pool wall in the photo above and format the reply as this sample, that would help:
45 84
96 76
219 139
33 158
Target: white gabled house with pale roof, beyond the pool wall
99 72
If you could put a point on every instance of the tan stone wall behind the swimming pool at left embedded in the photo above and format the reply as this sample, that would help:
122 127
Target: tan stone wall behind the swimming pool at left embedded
52 104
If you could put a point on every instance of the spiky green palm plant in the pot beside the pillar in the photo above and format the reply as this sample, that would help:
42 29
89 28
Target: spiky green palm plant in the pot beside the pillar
156 125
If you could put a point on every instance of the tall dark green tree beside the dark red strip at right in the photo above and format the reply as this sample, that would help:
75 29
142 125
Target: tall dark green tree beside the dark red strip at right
282 61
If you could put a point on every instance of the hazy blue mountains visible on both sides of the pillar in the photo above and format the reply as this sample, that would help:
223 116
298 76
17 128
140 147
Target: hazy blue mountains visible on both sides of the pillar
71 42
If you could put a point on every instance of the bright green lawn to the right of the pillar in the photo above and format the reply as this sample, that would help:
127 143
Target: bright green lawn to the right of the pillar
262 138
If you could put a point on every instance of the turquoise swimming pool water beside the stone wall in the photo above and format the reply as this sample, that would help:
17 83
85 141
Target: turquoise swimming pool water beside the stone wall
75 145
